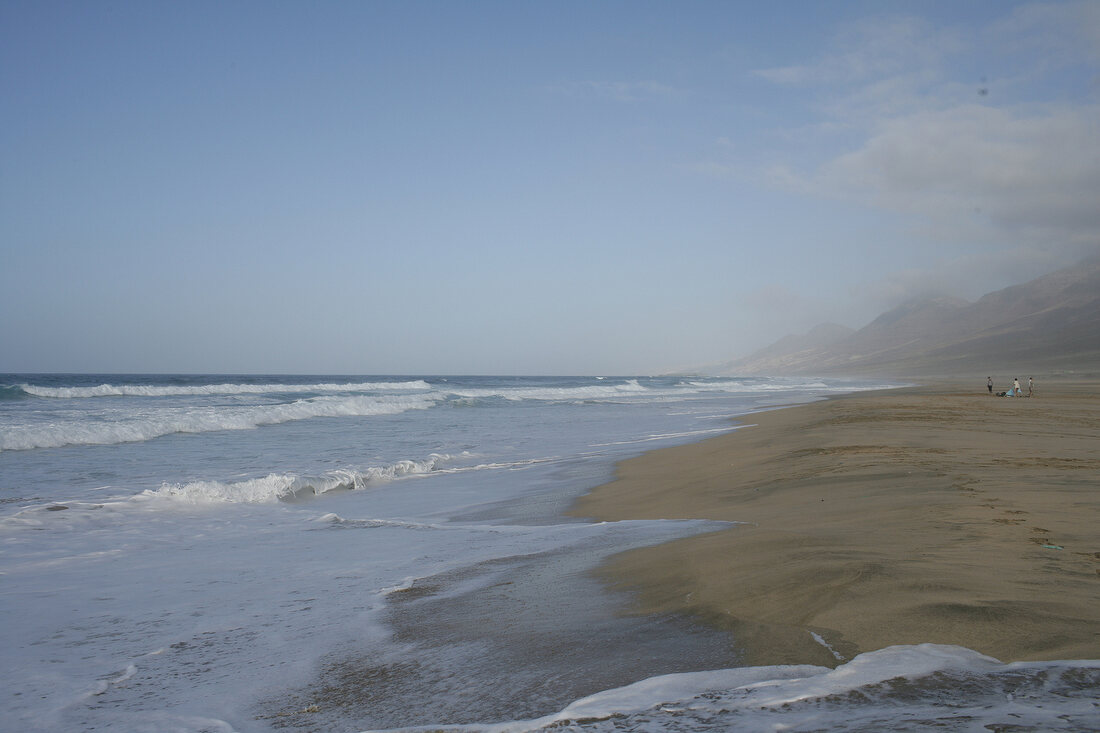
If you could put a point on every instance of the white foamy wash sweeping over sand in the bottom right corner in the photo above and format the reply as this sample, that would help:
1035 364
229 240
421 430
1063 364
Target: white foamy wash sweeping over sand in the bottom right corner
861 696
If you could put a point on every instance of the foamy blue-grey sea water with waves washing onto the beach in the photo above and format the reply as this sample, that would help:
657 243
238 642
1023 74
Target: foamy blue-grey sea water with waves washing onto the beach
368 553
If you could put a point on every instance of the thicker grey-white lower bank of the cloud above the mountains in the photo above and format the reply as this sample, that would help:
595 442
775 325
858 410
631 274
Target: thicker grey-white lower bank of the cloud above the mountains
1035 173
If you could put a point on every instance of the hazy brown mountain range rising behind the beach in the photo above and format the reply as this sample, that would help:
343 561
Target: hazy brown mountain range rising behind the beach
1052 323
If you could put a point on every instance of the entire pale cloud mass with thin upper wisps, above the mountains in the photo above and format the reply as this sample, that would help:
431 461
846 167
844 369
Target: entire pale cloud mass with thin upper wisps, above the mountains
1010 162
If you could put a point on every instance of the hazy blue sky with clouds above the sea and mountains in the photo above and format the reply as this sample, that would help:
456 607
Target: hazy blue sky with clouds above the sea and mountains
523 188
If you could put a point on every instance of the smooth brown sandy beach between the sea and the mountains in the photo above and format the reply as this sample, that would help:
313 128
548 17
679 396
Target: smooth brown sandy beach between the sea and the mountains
926 515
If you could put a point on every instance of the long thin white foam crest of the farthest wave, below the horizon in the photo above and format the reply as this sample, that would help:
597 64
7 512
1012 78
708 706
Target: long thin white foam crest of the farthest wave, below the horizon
166 391
